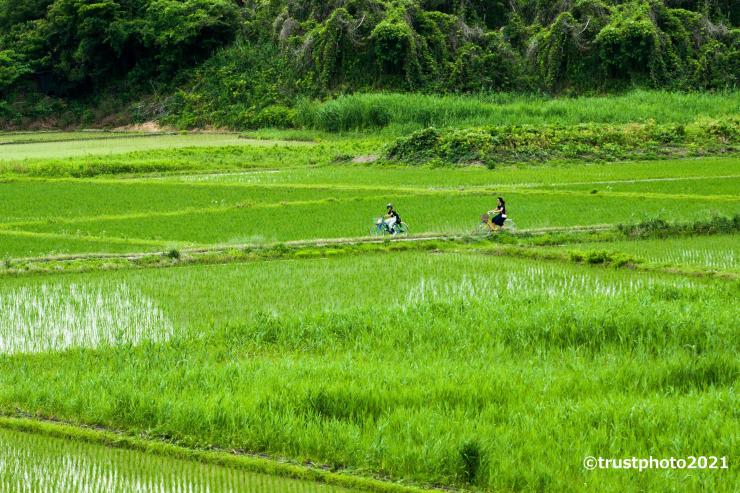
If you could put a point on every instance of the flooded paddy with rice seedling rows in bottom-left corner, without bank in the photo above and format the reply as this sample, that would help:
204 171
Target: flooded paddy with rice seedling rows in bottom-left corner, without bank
31 463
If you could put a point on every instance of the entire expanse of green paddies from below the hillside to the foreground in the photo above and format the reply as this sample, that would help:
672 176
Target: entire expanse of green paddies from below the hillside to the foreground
221 295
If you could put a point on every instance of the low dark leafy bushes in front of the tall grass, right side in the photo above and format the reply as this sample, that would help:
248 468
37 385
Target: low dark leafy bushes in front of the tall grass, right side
494 145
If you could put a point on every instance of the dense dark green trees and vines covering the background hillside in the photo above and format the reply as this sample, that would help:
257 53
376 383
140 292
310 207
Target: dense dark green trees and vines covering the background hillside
249 63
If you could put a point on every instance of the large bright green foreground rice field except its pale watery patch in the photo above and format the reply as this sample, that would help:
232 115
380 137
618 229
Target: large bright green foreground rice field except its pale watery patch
450 369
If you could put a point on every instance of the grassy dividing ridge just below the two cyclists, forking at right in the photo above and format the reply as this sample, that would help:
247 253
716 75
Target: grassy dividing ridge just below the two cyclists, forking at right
471 244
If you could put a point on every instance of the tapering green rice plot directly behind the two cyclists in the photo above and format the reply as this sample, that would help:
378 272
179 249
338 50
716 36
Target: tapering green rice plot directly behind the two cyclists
449 213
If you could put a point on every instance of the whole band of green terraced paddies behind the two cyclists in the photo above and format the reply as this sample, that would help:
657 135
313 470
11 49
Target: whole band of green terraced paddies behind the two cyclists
294 203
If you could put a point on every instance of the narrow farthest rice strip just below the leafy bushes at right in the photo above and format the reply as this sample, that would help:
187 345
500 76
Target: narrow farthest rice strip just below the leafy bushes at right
573 175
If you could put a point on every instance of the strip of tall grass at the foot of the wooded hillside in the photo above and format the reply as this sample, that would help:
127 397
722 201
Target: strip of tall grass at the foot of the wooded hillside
405 112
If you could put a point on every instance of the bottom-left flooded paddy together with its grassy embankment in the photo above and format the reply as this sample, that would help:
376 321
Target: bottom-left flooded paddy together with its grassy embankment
50 454
